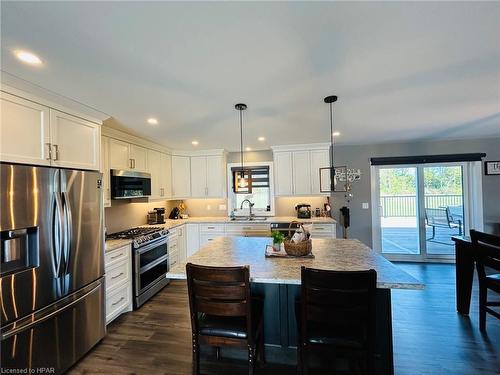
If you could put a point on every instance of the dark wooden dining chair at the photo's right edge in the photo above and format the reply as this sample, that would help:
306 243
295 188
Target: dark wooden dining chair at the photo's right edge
487 255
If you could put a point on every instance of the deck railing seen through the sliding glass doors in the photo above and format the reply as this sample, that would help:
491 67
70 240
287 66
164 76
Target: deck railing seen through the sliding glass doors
405 205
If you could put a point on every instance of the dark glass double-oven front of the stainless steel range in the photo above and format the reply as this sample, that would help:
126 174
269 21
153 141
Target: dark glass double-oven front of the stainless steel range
151 265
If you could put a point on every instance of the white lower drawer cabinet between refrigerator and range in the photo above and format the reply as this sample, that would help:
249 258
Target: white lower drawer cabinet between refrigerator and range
118 275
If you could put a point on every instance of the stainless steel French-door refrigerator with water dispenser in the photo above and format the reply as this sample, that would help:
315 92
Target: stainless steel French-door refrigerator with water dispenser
52 265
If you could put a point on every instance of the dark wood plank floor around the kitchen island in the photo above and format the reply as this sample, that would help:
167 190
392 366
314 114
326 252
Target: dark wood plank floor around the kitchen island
429 336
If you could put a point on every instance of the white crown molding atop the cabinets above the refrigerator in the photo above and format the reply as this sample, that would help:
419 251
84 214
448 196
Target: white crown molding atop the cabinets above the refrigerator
47 98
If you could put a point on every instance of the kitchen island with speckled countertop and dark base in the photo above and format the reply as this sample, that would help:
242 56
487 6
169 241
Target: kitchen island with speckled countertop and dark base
278 281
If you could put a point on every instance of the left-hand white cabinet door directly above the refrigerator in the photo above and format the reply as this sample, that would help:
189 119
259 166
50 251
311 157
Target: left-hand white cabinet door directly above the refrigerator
24 129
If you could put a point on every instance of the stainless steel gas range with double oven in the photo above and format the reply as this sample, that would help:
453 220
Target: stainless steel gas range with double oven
150 260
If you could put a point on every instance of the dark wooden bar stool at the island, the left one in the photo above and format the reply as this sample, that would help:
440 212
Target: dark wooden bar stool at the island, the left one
223 312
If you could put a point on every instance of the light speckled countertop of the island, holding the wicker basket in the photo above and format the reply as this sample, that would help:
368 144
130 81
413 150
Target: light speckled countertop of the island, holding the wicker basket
331 254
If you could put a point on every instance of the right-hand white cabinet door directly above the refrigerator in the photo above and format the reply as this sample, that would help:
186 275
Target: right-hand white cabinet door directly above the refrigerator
75 142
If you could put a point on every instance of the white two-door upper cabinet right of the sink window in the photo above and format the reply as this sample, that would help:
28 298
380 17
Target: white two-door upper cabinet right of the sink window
296 169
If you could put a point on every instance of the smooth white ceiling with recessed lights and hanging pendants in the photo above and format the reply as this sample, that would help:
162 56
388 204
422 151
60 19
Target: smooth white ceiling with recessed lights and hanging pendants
402 71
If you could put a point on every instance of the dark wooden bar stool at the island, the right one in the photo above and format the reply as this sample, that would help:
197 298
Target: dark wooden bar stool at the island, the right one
337 314
